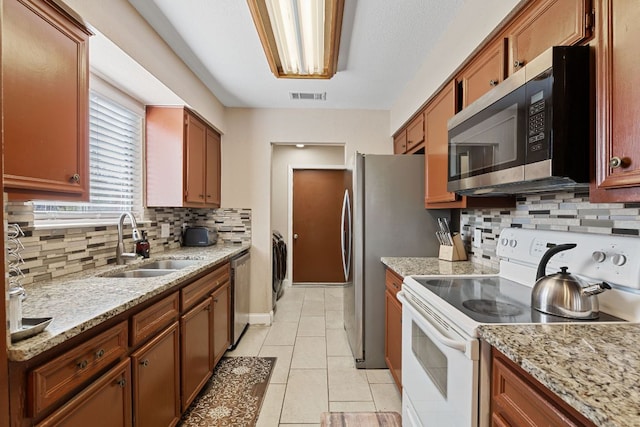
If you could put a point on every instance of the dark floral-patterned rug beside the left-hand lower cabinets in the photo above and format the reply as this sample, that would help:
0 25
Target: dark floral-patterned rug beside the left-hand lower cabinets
234 394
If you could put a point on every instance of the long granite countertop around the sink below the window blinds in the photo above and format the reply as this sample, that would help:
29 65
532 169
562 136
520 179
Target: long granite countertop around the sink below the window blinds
83 300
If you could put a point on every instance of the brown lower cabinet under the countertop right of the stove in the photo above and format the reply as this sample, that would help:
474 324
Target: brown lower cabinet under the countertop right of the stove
519 400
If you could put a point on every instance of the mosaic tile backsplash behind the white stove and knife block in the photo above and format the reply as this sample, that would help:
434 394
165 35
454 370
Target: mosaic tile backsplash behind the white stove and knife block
563 211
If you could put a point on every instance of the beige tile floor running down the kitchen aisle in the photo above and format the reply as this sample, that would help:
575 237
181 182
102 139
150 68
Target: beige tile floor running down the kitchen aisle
314 372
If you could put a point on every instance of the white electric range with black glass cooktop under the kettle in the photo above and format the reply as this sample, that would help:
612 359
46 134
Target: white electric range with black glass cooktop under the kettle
445 367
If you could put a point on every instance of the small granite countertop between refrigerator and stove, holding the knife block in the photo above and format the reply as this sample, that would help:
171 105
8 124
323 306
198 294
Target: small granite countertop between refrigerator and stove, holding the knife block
408 266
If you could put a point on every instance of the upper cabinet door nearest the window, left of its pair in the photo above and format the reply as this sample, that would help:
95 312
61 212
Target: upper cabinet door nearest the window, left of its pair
195 146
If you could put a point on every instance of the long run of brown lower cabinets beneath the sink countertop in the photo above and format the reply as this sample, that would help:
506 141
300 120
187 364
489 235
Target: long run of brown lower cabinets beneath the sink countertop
143 367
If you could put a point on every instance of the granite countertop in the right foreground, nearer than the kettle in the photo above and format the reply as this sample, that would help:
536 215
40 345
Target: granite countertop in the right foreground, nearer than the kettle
595 368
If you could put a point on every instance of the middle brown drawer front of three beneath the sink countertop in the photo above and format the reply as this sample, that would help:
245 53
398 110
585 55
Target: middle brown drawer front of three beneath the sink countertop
154 318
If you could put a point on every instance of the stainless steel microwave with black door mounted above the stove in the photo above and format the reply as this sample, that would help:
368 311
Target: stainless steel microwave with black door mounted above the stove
530 133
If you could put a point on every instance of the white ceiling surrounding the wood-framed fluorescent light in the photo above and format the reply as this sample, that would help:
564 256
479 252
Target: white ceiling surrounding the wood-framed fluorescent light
383 44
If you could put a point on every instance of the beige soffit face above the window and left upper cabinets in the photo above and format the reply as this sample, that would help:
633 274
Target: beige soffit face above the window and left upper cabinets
122 24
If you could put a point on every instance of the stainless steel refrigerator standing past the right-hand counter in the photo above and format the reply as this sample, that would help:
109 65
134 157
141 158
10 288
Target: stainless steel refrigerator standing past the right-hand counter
383 215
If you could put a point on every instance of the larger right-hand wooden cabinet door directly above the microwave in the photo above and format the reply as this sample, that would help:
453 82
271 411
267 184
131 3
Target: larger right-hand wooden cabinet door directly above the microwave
548 23
